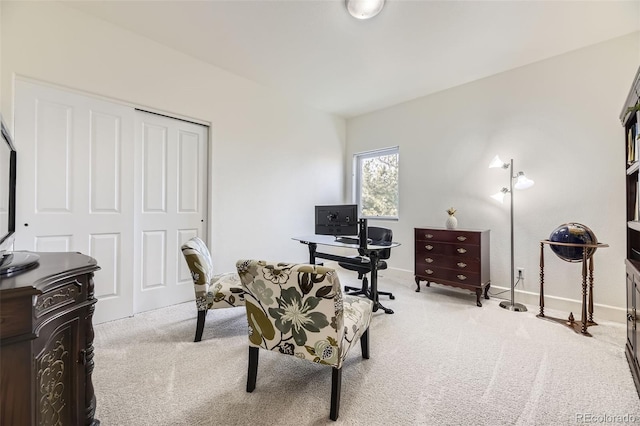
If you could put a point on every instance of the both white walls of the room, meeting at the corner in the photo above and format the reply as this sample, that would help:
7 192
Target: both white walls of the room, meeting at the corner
273 159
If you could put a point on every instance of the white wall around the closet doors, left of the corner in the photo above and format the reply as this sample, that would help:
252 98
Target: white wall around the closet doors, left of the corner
273 159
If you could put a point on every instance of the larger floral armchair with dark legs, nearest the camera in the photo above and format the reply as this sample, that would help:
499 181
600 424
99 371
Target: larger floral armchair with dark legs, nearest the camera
299 310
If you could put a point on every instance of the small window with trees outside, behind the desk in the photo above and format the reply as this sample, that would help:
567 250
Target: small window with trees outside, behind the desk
376 183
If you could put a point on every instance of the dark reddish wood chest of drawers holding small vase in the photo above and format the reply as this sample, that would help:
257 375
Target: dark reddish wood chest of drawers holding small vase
455 257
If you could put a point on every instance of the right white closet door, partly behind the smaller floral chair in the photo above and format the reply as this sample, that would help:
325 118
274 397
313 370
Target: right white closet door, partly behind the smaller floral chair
170 205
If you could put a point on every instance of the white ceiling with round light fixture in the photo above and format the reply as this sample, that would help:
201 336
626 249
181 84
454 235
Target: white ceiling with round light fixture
316 52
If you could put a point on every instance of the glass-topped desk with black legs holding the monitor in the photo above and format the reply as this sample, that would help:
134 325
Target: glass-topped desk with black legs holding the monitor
369 250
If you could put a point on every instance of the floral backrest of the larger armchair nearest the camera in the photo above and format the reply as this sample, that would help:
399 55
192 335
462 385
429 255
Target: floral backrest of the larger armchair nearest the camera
294 309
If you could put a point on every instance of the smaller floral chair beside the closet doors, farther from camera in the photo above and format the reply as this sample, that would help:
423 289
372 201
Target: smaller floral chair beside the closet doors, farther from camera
212 291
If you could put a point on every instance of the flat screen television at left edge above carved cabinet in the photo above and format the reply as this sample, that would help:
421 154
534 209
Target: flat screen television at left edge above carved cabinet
7 187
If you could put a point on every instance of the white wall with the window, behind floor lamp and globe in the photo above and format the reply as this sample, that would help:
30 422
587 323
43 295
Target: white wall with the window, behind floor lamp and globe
558 120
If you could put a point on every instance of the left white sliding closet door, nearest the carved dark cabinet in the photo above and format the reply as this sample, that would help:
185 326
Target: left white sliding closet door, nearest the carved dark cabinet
75 168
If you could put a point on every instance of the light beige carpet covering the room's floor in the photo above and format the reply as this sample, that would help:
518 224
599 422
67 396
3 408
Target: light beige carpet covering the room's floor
438 360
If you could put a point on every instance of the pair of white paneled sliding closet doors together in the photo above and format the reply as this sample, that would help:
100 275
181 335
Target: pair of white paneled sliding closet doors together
124 186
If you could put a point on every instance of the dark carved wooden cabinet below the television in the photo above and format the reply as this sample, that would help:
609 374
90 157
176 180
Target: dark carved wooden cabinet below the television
46 334
